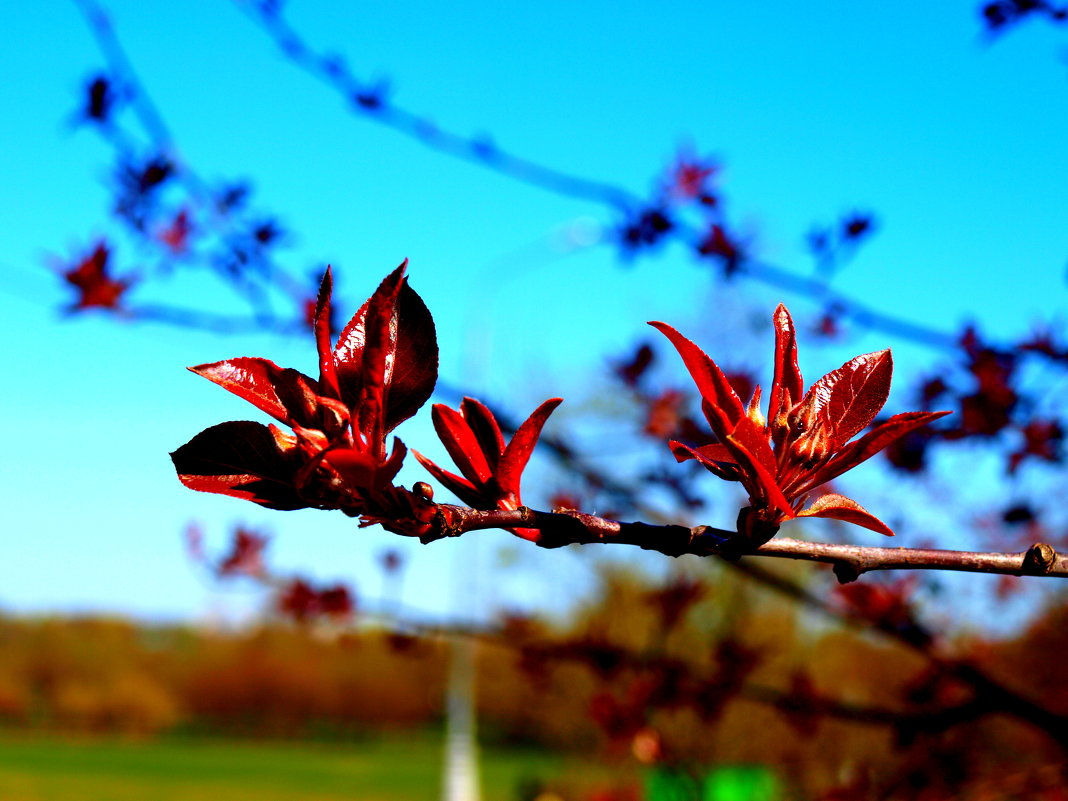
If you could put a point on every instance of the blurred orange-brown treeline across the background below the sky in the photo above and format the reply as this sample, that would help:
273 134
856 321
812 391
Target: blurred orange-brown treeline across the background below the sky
728 677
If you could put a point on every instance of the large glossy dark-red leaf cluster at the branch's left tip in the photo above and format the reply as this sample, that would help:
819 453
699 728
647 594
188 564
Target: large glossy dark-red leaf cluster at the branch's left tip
381 371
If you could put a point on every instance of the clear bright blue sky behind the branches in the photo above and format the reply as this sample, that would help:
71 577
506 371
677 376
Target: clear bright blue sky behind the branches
814 109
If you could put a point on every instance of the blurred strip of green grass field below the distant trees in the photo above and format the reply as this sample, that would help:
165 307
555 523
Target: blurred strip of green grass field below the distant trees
399 768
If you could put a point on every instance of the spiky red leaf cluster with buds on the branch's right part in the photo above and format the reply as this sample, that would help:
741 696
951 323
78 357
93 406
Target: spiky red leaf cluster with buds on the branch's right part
806 439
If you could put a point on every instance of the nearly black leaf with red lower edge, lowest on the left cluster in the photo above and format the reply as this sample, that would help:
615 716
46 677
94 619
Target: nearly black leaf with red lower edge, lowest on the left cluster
242 460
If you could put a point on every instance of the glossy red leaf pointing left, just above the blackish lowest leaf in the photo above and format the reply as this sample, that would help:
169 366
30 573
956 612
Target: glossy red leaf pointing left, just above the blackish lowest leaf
287 395
